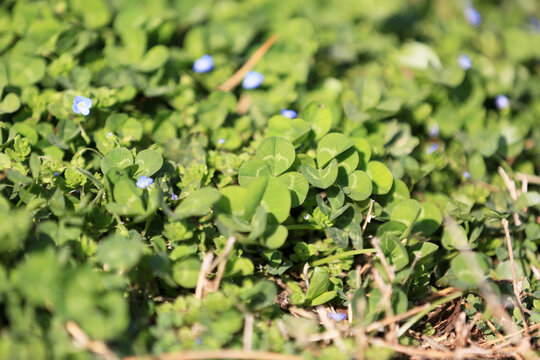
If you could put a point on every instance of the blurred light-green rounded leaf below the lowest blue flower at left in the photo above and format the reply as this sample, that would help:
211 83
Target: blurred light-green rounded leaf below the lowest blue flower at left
119 253
